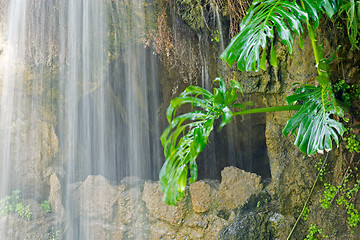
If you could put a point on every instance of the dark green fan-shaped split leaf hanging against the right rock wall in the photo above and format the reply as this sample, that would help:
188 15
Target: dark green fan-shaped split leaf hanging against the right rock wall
316 129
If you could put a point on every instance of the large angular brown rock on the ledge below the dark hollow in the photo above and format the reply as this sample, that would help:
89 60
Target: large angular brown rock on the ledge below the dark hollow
237 186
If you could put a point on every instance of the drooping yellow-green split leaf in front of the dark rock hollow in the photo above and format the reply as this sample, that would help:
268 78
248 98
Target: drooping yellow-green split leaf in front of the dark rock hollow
188 133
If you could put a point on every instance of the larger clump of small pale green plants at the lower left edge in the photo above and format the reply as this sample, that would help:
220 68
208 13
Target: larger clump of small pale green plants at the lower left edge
14 204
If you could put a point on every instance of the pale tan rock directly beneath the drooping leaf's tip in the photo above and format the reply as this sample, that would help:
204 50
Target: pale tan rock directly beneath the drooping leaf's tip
152 196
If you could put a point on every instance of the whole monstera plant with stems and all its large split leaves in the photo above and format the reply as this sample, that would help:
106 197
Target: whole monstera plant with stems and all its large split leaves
313 125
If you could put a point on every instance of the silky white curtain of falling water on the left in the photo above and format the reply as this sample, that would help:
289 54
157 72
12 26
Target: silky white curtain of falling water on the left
79 97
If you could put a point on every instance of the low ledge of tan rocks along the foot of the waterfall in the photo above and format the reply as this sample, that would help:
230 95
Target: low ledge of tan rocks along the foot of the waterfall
135 210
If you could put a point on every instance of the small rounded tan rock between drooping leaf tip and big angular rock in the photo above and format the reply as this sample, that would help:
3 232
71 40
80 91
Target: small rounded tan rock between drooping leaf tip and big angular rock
201 196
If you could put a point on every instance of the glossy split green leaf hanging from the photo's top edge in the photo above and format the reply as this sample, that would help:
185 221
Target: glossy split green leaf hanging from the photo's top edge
258 26
